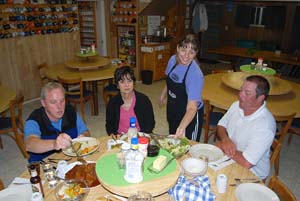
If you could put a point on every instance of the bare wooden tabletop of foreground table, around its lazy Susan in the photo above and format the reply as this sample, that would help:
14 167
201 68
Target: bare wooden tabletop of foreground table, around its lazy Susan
232 171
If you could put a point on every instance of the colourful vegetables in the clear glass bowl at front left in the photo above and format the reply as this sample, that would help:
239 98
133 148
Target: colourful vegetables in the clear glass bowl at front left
71 190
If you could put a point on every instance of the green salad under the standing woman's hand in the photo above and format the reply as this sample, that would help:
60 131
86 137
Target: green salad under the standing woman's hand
175 146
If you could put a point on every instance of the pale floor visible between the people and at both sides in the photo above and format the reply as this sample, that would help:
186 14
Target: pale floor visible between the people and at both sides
12 163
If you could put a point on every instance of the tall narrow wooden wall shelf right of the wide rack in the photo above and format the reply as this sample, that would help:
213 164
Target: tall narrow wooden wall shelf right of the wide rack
87 18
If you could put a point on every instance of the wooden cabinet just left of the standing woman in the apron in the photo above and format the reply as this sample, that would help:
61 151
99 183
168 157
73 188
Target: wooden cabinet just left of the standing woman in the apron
155 57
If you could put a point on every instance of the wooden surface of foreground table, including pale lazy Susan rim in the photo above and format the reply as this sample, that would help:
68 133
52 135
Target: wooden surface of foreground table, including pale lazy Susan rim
232 171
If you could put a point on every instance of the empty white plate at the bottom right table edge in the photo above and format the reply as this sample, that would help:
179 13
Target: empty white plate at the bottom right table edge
257 192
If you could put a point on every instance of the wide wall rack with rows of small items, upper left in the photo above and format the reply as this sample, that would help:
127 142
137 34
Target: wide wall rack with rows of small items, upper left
33 19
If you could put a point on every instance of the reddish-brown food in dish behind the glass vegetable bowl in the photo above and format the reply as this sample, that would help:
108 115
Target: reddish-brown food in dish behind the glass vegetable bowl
85 172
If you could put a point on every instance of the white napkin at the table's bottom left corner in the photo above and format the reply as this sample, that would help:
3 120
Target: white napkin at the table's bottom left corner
17 192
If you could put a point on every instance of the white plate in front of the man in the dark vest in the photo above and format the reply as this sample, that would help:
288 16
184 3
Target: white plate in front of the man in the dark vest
86 142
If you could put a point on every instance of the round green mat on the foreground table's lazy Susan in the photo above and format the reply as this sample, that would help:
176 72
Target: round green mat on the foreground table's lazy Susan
108 171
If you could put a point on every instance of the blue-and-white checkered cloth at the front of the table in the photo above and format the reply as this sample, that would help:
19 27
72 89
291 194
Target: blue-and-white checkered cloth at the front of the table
196 189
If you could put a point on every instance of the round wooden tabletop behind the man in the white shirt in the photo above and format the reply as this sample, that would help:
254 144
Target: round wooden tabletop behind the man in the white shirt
222 96
